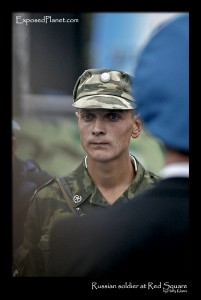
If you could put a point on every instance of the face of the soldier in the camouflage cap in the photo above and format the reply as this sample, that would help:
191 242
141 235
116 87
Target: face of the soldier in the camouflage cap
105 134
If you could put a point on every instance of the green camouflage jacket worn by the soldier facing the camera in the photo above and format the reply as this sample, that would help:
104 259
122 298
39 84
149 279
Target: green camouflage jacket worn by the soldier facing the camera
48 204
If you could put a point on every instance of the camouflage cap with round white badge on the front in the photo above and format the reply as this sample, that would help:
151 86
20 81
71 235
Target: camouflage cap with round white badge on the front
104 88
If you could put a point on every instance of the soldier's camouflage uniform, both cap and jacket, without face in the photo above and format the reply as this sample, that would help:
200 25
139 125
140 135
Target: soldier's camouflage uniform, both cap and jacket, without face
106 89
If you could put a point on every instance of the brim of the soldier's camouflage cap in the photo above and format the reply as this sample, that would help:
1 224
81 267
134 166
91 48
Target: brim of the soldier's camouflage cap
104 102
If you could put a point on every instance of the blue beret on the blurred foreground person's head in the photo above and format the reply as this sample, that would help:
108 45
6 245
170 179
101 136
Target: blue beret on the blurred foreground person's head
161 85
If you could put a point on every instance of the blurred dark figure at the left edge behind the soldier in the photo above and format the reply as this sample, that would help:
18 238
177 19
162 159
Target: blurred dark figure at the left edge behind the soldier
27 176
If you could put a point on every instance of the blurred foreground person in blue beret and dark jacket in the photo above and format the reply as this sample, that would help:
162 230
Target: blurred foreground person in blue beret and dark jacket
148 238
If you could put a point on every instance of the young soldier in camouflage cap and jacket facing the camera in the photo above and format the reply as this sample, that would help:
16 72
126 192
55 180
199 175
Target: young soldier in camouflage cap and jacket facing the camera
108 174
